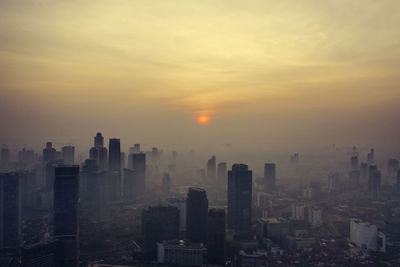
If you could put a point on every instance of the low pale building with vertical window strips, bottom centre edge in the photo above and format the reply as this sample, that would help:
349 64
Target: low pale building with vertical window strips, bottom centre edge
178 252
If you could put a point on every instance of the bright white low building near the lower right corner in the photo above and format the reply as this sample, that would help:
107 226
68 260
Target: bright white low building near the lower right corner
366 236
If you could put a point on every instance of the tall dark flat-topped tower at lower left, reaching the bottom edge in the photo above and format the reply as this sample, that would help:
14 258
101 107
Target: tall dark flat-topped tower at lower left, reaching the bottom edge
66 221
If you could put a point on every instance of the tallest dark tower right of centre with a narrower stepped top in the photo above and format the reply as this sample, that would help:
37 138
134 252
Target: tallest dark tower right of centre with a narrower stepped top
239 198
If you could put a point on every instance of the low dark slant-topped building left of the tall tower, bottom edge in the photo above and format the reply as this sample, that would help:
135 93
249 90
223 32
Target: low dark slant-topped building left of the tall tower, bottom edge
42 254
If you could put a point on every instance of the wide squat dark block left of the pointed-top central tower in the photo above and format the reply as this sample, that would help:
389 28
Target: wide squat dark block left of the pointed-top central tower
159 223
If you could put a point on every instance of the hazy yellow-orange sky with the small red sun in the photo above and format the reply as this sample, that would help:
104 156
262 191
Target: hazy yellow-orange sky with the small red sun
255 72
